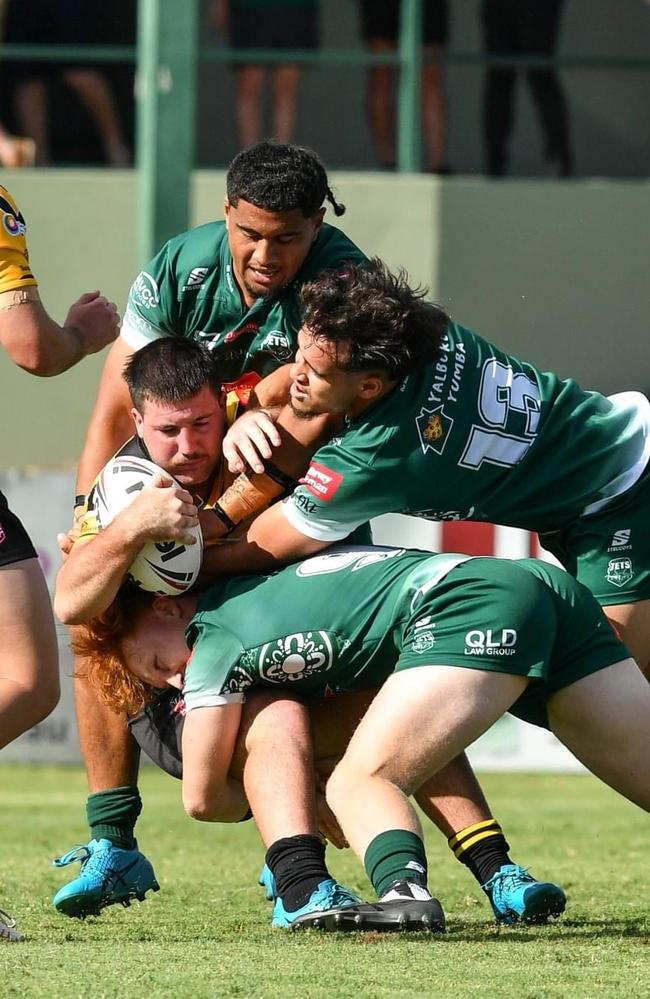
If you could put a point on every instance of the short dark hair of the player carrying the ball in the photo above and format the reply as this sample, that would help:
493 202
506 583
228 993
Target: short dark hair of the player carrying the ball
169 370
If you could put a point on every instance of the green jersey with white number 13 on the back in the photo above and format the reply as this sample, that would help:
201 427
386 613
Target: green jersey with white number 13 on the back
476 435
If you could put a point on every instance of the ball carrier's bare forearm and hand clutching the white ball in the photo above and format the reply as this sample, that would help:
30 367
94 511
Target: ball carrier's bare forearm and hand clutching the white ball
95 569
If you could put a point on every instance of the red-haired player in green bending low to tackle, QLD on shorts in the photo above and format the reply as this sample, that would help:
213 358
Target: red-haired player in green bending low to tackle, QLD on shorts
452 641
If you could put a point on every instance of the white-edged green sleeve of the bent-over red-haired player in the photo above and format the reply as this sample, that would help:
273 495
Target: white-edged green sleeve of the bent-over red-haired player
213 675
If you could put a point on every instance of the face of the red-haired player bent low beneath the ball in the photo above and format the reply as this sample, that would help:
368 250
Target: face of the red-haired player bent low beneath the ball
157 652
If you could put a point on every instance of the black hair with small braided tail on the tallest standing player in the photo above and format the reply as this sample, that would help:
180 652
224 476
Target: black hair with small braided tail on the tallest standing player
280 177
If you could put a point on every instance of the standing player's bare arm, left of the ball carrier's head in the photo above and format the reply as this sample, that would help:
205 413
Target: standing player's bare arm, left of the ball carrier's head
110 424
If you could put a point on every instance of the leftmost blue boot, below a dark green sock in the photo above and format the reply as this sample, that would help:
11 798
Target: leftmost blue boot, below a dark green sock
108 875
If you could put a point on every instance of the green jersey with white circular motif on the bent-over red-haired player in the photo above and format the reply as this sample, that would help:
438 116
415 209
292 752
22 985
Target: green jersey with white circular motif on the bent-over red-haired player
328 624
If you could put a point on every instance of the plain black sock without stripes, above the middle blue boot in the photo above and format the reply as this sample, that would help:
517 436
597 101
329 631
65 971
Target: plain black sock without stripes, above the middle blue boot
298 866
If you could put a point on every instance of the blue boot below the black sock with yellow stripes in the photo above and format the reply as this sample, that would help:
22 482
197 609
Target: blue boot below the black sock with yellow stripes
517 897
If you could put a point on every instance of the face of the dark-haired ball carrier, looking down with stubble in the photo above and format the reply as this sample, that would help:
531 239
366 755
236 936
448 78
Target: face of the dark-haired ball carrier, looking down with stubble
185 439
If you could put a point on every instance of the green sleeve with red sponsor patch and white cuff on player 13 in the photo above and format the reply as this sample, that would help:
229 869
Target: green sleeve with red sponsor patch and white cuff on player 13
337 494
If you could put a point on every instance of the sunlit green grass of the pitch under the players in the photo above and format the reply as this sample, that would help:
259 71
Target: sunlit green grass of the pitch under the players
207 933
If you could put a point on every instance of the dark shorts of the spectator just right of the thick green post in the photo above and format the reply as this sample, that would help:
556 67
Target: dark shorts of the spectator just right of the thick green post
276 27
